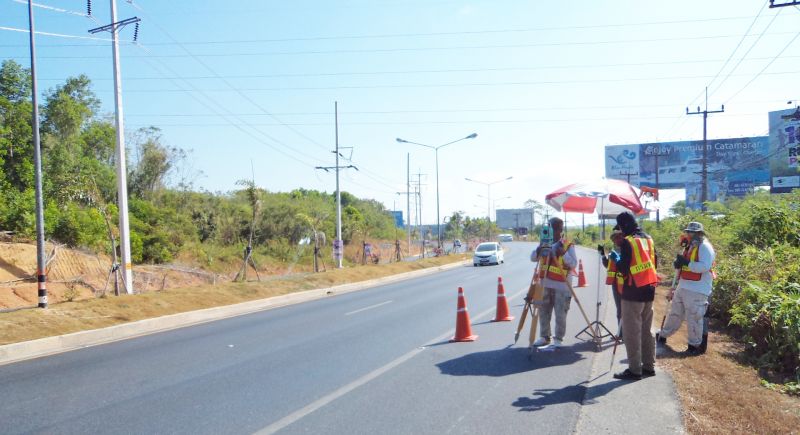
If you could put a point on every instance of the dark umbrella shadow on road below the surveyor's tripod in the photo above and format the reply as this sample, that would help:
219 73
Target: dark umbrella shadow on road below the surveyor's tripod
511 360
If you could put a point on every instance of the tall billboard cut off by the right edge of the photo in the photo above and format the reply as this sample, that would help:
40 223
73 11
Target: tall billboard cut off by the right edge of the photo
784 150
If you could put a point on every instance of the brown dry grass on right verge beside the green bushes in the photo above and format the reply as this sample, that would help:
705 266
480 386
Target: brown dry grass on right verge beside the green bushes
721 396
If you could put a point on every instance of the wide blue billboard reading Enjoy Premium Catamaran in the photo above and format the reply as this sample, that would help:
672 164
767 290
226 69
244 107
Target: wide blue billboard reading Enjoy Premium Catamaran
676 165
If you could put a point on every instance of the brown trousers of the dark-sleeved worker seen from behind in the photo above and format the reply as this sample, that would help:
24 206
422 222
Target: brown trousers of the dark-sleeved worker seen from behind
637 317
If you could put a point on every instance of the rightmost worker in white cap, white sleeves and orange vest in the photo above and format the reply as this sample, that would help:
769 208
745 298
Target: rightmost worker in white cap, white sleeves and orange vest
690 300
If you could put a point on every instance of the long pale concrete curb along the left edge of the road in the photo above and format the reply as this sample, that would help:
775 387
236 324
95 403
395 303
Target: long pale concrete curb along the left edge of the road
15 352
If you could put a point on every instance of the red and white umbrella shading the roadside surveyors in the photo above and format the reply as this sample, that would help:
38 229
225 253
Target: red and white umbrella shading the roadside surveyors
604 197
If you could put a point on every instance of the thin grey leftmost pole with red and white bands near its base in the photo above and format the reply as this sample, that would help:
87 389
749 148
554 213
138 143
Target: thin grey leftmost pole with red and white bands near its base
41 262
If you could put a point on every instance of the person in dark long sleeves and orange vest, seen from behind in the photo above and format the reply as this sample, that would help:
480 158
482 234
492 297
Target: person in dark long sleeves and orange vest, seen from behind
637 264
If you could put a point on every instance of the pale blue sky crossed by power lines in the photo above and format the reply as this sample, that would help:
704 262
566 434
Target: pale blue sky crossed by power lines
248 88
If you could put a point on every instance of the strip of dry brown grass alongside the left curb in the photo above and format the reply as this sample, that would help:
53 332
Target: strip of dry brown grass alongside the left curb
67 317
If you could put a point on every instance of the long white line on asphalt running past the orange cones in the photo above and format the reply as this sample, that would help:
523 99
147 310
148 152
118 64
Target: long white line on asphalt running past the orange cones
319 403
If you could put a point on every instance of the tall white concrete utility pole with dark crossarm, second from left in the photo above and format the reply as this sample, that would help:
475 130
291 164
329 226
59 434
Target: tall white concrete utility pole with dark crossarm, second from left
122 181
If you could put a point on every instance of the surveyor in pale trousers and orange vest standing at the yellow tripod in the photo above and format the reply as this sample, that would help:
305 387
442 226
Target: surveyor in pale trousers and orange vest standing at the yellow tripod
555 262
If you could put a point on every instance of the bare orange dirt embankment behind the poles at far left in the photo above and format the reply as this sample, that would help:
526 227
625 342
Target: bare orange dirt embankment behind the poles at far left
75 275
